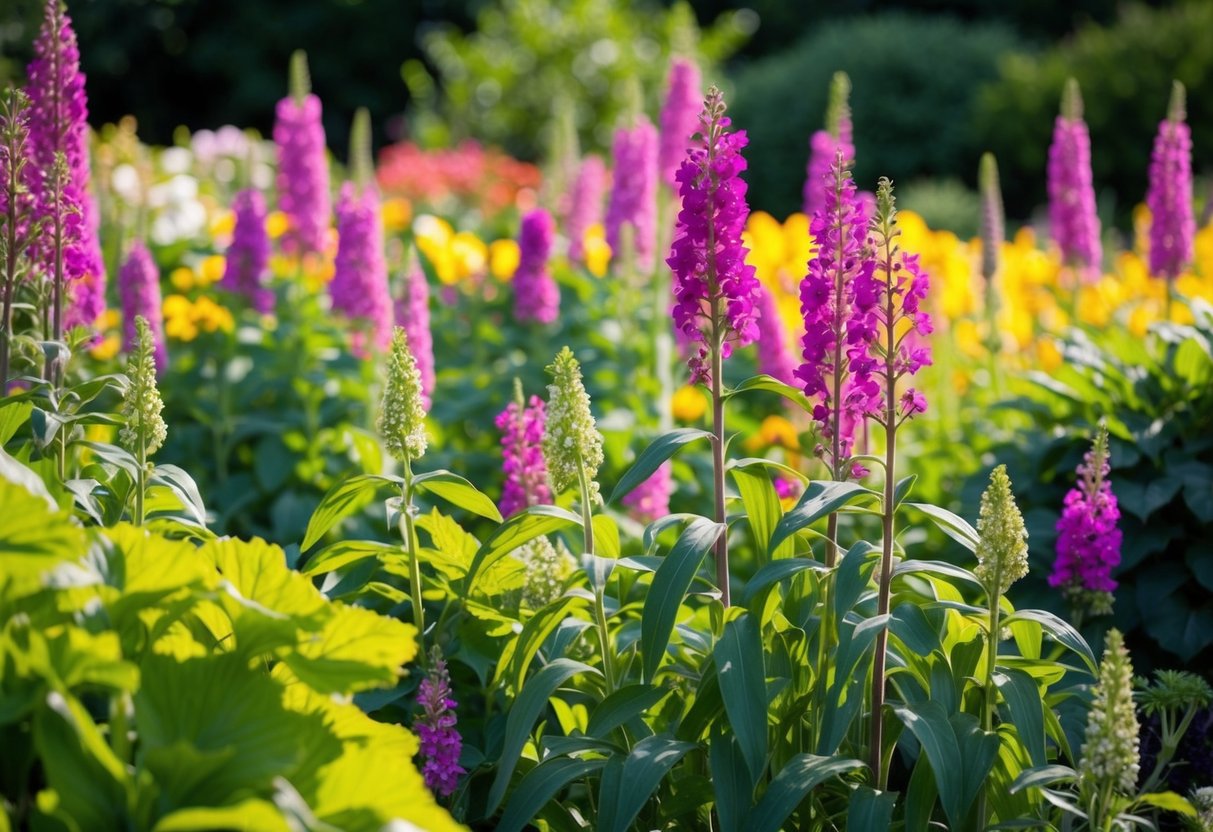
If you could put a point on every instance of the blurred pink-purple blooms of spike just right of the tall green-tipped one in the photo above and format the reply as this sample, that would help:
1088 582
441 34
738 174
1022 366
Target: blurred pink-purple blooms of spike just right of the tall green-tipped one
360 281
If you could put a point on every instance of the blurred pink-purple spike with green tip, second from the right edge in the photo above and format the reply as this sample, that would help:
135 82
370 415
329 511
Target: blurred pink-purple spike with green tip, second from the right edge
1073 216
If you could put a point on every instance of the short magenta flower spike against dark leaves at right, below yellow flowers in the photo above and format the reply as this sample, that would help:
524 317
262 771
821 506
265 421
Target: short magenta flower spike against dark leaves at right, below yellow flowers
1089 537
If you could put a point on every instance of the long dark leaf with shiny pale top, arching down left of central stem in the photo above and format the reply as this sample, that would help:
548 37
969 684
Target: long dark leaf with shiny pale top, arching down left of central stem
670 585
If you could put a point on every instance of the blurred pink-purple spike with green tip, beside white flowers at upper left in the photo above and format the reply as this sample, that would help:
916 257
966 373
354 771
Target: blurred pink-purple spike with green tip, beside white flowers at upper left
303 164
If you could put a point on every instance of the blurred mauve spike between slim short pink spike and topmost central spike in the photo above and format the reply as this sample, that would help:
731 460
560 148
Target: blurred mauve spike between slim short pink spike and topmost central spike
634 196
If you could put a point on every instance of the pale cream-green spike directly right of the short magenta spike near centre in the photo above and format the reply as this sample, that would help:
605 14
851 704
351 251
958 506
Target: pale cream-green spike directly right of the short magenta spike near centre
572 442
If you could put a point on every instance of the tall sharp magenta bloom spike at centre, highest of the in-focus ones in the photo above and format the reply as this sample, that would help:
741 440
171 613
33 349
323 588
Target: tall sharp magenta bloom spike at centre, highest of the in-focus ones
716 292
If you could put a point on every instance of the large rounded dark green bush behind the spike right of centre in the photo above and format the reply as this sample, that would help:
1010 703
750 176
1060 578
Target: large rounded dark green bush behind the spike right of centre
914 81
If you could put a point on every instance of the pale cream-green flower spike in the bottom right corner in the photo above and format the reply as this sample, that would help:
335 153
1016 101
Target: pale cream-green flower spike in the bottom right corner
1111 753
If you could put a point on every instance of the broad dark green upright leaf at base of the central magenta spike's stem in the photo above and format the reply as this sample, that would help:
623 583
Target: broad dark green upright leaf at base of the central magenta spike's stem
739 666
